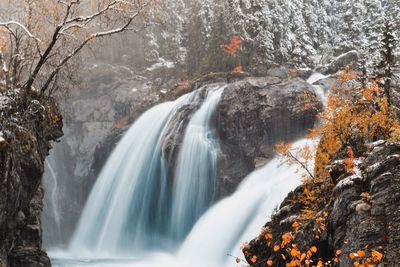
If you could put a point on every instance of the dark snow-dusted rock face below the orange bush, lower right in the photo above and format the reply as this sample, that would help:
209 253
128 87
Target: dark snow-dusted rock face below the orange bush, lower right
364 211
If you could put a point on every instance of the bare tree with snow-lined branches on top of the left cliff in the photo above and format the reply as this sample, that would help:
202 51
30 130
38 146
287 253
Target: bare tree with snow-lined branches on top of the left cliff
38 38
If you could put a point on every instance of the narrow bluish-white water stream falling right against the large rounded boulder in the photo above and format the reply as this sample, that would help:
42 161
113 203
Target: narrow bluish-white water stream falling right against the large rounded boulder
194 184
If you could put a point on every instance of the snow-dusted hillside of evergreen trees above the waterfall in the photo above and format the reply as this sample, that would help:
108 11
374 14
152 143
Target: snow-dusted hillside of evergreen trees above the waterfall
304 33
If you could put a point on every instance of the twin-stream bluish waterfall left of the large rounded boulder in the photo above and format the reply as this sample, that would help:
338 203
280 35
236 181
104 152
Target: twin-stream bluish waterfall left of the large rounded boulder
129 206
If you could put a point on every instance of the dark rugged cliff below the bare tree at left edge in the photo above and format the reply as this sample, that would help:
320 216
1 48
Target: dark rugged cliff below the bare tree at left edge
26 136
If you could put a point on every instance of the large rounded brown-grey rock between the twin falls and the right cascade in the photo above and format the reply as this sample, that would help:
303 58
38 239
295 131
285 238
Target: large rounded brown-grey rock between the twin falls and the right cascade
253 116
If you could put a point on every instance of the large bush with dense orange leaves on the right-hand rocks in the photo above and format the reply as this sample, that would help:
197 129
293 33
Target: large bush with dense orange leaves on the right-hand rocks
353 116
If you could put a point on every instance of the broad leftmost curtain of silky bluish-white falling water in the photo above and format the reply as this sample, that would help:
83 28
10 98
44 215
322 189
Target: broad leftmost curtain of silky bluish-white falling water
136 169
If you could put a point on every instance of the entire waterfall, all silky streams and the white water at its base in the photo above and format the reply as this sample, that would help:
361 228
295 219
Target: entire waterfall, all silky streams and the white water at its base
133 207
